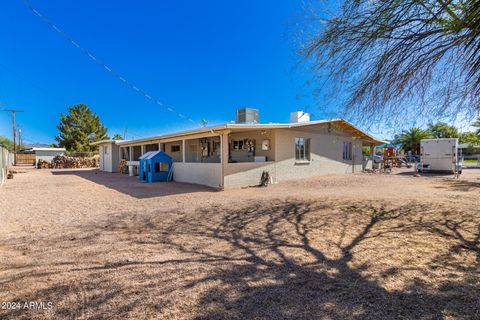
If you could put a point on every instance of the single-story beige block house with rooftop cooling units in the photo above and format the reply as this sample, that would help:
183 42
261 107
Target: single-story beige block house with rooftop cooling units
236 154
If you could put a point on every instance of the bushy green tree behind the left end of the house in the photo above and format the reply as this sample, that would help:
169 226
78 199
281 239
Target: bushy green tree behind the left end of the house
79 128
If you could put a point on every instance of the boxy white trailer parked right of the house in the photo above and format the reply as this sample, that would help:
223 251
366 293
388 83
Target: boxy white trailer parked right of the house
439 155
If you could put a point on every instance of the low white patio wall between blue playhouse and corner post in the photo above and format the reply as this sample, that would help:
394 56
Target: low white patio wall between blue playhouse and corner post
209 174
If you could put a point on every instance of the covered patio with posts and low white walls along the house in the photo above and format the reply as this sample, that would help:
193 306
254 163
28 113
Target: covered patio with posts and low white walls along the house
208 157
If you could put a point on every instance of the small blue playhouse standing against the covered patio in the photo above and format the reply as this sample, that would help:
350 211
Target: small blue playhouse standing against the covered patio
154 166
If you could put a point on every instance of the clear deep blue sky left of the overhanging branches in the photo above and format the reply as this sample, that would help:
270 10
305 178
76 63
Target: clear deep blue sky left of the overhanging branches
204 58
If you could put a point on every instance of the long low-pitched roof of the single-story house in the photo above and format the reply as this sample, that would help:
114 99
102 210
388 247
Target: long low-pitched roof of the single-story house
345 125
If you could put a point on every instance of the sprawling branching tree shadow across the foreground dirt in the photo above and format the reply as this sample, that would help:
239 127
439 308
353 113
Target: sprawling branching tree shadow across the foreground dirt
276 260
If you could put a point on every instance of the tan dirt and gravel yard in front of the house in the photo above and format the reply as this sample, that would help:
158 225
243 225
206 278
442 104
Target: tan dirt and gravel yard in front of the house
358 246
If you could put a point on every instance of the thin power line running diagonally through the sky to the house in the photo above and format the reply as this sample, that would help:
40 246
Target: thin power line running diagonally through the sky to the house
104 65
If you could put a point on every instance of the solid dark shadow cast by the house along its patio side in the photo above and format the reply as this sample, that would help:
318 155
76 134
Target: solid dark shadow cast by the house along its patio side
132 186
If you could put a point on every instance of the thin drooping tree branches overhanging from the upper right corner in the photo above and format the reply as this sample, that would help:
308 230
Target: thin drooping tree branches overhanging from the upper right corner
397 57
